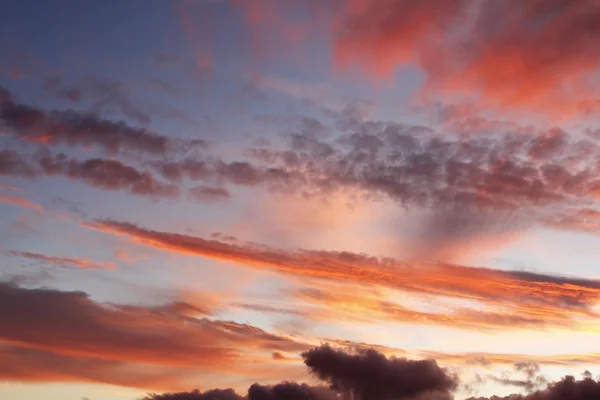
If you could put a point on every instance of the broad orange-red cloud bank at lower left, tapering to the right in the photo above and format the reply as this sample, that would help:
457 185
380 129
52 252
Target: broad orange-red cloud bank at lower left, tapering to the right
44 326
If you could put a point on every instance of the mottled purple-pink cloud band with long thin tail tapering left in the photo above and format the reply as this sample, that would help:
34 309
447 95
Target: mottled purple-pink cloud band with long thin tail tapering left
521 170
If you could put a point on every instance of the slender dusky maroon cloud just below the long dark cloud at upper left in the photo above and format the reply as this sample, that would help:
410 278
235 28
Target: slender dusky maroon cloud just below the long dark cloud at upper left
108 174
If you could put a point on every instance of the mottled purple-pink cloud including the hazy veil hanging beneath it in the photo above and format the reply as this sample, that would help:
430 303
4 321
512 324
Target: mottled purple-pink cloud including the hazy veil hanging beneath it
464 193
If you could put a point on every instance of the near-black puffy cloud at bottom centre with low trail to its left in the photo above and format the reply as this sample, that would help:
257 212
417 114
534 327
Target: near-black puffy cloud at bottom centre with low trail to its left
368 375
